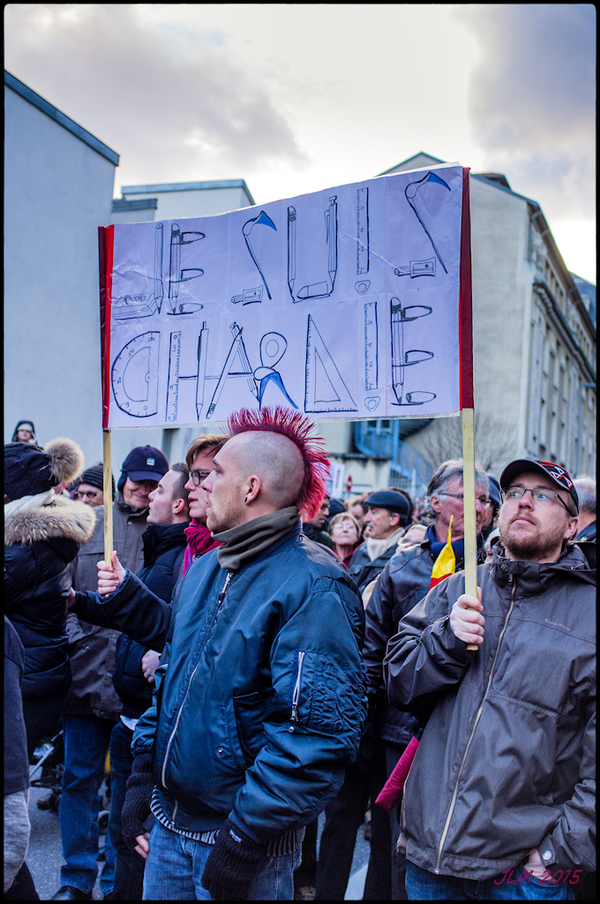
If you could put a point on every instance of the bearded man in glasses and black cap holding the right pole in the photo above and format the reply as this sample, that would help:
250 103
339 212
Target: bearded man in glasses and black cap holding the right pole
501 793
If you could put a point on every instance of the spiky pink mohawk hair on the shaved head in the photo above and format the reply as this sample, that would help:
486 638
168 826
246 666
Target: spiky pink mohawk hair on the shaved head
298 428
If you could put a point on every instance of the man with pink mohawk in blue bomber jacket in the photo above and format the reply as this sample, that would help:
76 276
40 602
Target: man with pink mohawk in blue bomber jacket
260 694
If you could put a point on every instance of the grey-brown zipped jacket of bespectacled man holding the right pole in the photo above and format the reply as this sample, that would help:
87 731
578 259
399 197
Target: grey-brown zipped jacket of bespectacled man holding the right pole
507 760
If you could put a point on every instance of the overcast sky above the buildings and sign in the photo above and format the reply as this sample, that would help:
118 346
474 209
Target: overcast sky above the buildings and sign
297 98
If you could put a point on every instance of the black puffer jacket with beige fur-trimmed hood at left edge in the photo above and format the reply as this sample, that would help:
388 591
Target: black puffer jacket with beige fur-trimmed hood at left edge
40 542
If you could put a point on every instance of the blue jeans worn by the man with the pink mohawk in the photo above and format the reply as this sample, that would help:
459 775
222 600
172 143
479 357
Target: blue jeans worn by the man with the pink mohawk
175 865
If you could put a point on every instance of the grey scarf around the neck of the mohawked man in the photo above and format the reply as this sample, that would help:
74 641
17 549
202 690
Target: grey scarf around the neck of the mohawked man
245 542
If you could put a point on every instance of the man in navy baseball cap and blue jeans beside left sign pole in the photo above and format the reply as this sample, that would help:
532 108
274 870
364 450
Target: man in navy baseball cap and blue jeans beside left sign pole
93 705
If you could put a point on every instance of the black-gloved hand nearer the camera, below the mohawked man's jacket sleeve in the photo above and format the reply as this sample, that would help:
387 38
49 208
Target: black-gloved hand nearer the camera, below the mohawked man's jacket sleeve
232 864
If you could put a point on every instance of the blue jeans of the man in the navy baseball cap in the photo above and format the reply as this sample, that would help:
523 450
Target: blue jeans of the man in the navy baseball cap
86 741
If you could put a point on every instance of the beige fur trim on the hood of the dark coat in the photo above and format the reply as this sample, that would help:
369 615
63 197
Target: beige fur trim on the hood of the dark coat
62 518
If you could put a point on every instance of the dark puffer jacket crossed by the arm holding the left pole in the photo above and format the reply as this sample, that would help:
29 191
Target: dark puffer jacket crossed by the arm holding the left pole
164 547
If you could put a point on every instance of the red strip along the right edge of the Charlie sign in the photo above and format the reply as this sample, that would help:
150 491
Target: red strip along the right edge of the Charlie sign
465 326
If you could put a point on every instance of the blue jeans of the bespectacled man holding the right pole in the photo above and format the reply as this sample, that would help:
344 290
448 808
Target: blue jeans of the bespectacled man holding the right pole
421 885
